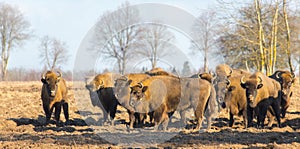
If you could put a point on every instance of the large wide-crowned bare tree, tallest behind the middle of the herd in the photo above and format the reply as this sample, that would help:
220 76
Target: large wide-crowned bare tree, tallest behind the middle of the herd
116 36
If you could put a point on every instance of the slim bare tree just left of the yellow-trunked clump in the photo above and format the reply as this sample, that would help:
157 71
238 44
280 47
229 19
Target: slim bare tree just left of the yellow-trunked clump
204 33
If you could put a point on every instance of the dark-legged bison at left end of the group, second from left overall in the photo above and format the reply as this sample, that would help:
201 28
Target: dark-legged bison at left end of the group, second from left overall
103 84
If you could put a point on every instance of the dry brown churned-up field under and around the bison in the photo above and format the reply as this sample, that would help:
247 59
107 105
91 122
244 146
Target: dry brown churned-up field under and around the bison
22 119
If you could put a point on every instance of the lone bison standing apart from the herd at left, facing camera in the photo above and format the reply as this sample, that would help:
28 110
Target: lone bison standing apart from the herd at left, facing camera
54 95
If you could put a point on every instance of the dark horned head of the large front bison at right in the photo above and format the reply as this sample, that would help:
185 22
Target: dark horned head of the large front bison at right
251 86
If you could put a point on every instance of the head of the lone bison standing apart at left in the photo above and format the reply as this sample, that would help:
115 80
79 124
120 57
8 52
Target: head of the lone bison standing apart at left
51 80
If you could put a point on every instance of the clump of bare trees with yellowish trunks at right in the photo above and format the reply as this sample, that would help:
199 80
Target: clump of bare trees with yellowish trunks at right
258 32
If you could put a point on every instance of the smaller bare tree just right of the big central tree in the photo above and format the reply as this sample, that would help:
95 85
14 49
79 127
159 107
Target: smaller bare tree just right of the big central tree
156 43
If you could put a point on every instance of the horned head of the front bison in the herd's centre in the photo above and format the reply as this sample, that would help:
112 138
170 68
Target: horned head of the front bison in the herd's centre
137 93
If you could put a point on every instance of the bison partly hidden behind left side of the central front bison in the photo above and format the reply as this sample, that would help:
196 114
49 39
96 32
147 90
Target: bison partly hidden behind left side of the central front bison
122 92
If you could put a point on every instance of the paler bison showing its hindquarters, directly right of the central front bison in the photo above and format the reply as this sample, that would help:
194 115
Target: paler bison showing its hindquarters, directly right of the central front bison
198 94
